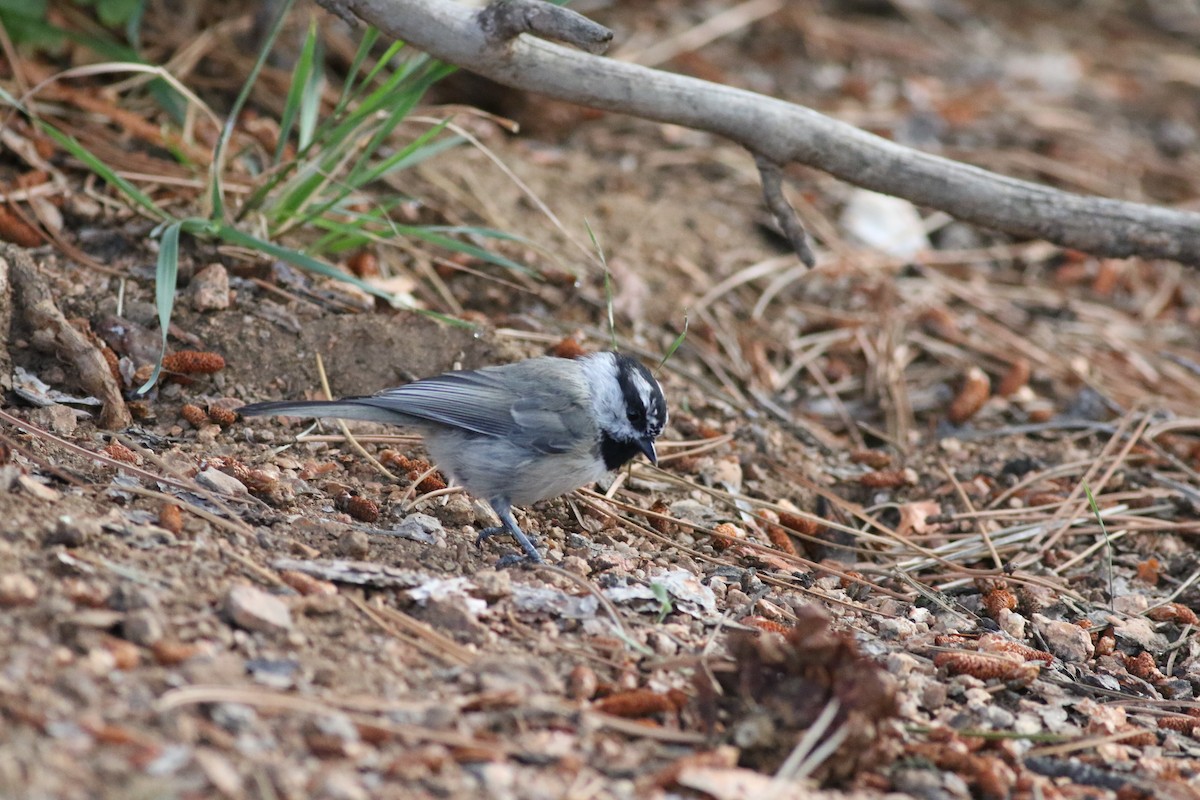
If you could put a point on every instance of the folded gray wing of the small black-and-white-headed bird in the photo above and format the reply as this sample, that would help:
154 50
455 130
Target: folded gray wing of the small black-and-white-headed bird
531 407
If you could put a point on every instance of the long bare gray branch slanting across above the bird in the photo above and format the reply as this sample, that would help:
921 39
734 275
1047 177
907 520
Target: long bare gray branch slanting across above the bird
783 133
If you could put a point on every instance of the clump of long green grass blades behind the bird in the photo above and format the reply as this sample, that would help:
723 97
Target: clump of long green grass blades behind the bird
320 183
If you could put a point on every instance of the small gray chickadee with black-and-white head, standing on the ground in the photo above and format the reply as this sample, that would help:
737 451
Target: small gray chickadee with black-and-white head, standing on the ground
521 432
